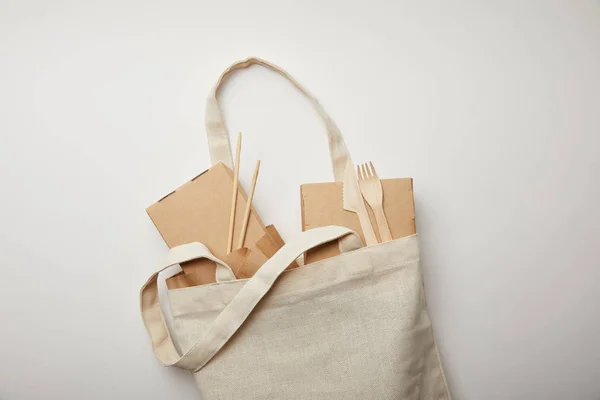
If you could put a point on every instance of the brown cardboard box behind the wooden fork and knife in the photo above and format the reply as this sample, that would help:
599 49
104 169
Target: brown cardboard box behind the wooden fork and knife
322 205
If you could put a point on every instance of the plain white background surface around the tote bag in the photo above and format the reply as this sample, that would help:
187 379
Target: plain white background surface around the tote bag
492 107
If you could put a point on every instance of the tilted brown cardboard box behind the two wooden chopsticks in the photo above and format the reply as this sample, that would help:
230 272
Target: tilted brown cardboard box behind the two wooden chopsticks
199 211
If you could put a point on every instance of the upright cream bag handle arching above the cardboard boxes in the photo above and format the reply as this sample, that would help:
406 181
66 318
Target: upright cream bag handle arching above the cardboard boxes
218 138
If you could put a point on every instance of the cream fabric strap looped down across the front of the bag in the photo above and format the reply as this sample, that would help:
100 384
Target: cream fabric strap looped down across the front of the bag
241 306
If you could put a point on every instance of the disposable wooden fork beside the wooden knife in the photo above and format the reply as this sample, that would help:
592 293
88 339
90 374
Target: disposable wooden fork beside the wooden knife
370 187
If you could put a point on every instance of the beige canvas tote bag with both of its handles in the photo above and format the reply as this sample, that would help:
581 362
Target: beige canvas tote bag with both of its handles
354 326
